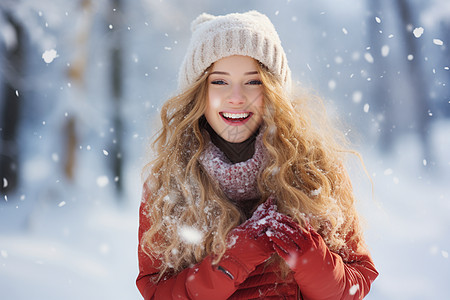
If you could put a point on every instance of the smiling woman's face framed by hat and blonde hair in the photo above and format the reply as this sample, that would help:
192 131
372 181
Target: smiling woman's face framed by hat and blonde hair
235 98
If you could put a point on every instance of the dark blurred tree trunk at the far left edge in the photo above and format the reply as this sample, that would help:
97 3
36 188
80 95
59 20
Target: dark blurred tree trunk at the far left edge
9 122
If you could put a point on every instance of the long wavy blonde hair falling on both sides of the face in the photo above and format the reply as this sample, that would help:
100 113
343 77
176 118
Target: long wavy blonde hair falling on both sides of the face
305 173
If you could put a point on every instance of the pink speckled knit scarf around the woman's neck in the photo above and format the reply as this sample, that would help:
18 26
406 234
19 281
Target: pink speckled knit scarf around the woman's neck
238 181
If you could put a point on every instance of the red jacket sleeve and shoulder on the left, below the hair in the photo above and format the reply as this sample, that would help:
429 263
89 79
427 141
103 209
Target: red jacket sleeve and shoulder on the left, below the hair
202 281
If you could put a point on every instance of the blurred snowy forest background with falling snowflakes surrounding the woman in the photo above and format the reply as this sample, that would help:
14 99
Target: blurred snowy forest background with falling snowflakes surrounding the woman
81 85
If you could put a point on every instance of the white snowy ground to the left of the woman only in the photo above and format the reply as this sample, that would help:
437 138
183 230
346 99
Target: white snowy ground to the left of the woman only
77 251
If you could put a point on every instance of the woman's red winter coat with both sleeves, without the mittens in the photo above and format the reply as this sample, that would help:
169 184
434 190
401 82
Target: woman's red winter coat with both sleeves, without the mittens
325 276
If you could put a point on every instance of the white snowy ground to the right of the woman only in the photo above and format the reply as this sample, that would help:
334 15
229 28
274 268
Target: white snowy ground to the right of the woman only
408 224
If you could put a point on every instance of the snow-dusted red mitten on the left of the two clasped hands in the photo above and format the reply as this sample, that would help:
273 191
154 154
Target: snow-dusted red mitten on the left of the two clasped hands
248 244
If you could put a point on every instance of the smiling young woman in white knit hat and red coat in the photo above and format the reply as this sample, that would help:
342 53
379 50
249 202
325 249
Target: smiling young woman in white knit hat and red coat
248 197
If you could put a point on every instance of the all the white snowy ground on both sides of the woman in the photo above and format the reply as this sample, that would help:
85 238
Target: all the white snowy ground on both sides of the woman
86 249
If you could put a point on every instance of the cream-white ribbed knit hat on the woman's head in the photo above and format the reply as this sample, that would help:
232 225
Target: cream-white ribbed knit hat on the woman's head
249 34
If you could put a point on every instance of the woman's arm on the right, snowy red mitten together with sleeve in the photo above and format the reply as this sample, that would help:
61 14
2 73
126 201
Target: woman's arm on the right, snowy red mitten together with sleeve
320 273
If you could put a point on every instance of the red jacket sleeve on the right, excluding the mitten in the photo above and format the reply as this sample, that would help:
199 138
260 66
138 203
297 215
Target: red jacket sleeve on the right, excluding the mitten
324 274
